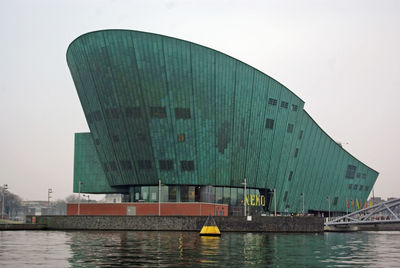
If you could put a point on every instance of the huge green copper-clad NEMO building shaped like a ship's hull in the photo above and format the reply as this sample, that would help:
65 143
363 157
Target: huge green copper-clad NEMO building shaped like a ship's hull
200 121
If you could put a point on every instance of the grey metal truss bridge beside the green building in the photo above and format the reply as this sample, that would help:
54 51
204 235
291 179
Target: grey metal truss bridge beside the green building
387 212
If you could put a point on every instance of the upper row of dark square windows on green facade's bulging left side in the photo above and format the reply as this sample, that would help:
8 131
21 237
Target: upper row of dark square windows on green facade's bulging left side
135 112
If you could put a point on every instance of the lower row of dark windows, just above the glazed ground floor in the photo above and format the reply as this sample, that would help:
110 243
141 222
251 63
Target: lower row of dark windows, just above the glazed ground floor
165 165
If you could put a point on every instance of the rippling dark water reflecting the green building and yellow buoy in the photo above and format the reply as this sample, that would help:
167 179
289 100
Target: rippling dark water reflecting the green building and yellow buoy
174 249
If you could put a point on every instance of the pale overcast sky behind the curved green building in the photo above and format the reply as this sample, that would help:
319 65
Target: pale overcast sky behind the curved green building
341 57
